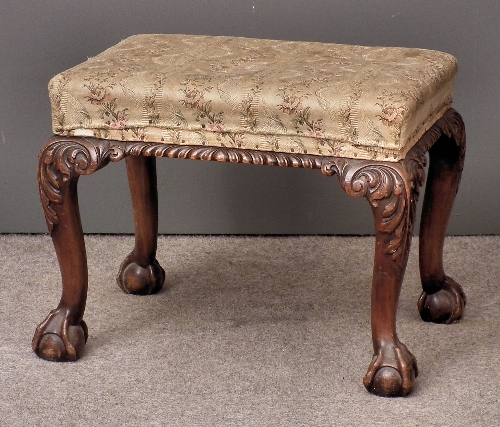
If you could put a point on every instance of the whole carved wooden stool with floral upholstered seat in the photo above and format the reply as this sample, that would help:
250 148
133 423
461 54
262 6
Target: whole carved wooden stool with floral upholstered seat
368 115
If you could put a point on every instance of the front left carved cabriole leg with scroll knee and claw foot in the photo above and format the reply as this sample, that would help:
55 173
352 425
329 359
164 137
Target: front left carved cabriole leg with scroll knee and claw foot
62 335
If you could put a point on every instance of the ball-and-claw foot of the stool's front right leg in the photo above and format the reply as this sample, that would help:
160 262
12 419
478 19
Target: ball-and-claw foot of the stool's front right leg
392 372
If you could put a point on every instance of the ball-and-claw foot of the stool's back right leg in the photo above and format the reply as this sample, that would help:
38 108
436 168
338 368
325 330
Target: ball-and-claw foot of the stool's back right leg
444 306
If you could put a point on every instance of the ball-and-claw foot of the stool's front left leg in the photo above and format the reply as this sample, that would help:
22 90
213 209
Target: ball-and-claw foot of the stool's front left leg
57 340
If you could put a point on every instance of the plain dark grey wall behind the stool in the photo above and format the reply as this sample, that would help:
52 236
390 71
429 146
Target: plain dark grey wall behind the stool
41 38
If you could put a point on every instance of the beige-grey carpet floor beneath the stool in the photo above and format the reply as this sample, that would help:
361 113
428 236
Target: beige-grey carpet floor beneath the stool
249 331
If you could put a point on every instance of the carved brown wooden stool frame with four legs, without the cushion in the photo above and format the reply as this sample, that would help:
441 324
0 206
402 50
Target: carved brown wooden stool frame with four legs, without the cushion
391 188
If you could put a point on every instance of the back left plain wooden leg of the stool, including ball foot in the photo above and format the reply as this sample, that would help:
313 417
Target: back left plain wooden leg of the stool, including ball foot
140 272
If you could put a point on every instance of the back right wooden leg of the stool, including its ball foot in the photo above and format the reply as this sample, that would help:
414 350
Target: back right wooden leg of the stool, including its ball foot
442 299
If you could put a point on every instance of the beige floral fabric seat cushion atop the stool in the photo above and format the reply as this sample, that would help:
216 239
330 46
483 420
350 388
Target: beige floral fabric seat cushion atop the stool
293 97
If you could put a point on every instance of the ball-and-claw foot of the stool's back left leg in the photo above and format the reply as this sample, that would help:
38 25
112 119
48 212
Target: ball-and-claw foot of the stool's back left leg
137 280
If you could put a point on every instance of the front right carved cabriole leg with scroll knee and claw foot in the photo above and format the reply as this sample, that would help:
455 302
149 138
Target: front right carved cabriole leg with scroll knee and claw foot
392 191
